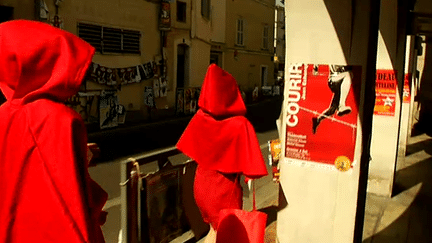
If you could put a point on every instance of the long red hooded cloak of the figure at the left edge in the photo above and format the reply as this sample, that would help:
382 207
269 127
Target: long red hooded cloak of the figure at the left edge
46 194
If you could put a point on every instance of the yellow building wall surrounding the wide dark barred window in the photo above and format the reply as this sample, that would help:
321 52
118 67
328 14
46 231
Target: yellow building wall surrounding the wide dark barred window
132 14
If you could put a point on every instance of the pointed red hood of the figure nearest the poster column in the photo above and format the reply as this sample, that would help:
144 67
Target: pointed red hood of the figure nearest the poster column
220 95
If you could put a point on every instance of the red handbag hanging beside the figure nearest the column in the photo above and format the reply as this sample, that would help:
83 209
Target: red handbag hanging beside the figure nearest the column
240 226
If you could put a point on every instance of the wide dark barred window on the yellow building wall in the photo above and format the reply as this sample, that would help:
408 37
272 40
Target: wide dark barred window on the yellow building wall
110 40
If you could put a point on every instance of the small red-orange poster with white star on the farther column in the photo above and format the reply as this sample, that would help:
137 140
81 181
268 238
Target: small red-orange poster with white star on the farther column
385 89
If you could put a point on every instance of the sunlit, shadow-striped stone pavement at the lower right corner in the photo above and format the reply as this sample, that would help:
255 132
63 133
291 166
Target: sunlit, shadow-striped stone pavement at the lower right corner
405 217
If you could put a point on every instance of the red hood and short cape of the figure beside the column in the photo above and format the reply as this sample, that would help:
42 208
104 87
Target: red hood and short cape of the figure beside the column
219 137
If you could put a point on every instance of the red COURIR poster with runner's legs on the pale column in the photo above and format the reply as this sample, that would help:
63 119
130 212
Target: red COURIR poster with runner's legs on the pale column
321 114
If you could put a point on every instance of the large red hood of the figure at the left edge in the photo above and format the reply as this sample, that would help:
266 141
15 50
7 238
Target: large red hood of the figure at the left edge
40 61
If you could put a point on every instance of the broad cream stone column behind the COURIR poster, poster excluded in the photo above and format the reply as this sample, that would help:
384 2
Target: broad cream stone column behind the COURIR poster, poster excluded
320 205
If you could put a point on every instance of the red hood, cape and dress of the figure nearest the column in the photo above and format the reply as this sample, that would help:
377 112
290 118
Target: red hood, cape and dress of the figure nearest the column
223 143
